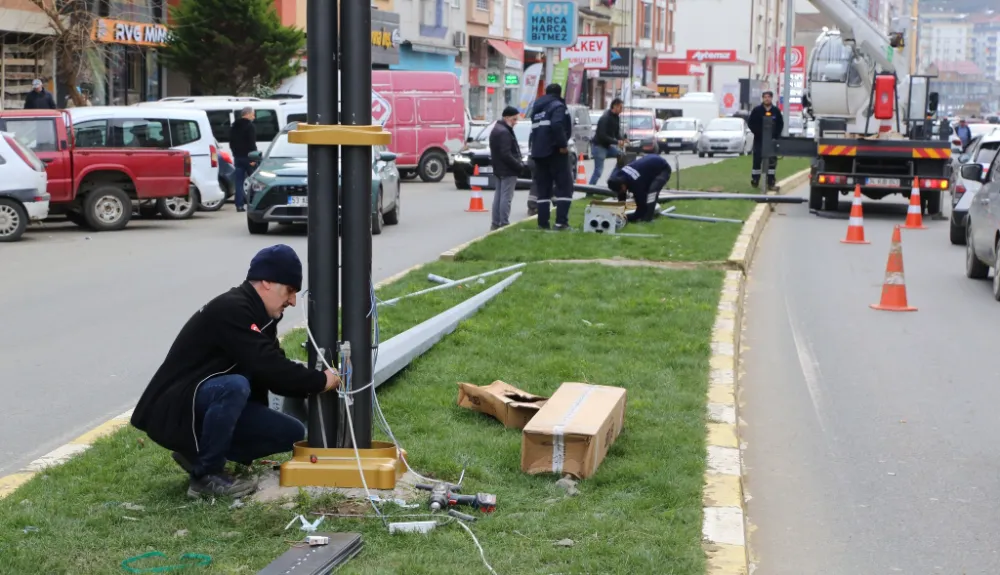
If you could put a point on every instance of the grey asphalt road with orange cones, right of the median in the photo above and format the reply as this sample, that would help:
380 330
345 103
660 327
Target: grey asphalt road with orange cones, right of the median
870 436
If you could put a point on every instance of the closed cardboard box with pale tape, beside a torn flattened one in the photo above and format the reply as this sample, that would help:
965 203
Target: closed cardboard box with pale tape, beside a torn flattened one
573 431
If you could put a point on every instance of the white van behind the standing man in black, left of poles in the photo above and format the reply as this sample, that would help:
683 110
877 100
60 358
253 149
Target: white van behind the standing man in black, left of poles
222 111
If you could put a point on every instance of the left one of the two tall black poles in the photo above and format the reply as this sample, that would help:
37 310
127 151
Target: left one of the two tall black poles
322 183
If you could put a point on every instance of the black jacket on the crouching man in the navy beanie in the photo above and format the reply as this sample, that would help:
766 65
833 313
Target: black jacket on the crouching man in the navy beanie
232 334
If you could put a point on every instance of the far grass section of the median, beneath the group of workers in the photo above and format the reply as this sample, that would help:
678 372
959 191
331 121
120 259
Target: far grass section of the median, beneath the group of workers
680 240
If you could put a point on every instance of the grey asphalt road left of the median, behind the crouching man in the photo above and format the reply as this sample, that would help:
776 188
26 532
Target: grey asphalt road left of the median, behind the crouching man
89 316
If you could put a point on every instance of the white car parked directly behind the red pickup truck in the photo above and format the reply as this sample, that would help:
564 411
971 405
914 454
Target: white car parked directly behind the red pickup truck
175 128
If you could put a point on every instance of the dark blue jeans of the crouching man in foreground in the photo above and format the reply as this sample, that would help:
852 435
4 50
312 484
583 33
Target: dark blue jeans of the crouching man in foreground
231 427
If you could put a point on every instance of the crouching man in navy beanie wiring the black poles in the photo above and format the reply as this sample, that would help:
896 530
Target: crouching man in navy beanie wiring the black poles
208 401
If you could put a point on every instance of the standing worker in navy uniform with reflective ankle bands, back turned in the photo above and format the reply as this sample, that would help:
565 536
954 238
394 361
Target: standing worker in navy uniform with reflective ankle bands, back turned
551 127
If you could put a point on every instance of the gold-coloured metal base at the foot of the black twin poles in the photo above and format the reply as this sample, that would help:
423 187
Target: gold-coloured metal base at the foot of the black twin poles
319 467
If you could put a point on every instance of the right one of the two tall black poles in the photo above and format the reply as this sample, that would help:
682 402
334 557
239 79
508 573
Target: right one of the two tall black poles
356 110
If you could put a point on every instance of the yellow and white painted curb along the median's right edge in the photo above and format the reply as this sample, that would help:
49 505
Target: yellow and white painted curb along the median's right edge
724 525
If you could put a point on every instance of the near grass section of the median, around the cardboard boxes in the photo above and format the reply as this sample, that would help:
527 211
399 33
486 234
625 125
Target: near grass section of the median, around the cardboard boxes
644 329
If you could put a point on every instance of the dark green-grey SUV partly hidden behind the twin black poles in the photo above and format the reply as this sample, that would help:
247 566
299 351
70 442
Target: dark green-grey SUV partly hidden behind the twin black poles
278 191
